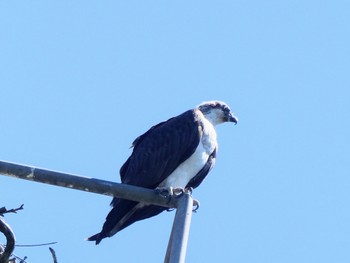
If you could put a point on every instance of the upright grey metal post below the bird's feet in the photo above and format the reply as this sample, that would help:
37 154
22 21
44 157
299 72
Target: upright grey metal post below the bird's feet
177 245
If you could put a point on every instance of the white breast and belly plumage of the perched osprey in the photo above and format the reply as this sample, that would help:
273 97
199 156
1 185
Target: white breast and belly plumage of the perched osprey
189 168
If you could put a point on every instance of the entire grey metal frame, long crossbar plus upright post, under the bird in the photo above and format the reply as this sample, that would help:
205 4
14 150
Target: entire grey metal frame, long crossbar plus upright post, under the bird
183 203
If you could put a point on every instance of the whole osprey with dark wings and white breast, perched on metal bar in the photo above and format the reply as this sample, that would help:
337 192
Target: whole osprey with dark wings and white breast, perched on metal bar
176 153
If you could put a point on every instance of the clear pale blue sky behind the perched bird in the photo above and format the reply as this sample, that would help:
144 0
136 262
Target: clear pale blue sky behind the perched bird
80 80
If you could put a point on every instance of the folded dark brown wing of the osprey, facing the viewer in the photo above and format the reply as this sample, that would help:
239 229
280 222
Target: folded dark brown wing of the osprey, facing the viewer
160 150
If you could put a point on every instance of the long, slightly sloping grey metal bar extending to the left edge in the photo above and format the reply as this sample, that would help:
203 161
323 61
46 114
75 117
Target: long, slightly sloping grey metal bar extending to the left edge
124 191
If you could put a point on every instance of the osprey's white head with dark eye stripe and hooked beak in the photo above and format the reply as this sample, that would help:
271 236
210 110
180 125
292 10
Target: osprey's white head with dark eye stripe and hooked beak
217 112
